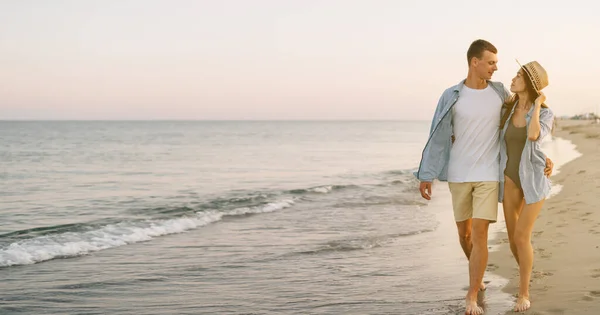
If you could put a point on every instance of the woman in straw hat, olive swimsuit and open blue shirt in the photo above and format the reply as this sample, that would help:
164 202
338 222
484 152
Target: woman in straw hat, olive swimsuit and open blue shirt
523 186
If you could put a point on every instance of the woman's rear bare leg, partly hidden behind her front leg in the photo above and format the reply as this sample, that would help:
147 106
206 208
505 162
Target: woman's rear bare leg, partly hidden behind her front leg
512 203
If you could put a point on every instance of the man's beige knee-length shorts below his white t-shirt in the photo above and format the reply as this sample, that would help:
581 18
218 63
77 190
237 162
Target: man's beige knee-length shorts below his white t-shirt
477 200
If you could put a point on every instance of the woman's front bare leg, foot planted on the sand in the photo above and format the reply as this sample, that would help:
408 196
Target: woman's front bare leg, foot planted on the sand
523 241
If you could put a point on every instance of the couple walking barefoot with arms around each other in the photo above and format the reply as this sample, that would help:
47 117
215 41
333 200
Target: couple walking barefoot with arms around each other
486 143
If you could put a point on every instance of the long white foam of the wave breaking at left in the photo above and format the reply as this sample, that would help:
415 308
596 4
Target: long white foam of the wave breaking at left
70 244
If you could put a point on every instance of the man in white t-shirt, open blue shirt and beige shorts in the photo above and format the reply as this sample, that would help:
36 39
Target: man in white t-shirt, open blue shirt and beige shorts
463 149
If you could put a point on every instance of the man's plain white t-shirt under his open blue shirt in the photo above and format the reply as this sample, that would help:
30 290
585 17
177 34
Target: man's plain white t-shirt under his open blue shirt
474 156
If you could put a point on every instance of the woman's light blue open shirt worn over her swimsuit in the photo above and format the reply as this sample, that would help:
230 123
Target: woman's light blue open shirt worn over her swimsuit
536 186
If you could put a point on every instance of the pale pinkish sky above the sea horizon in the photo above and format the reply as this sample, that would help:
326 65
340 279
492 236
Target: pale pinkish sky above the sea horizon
279 59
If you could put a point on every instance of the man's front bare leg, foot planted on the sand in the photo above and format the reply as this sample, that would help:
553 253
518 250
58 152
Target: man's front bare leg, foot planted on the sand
477 264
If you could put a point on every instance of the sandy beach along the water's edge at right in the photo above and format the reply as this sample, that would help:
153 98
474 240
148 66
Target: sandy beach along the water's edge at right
566 239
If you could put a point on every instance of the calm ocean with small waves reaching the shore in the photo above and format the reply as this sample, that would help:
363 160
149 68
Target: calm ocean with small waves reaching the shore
226 217
